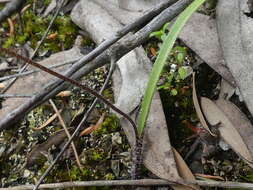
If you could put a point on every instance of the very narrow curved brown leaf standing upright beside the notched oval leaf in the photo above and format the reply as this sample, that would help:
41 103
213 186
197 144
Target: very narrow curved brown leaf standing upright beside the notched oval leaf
197 106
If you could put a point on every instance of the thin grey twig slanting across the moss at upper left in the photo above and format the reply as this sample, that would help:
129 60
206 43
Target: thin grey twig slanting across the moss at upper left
38 45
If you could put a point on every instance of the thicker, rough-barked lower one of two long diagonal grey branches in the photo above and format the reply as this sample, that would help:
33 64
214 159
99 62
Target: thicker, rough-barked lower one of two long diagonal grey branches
120 48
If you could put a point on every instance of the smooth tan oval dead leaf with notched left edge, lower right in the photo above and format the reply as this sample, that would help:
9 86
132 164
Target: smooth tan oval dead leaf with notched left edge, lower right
226 128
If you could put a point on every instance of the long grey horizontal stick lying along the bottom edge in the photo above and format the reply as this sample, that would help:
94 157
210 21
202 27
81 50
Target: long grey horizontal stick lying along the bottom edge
141 182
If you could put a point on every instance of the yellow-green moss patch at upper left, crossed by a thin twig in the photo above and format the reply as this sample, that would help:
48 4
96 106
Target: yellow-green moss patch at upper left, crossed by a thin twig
35 27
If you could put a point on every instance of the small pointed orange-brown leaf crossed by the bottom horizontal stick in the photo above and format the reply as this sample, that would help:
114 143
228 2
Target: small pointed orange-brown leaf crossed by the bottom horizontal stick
184 172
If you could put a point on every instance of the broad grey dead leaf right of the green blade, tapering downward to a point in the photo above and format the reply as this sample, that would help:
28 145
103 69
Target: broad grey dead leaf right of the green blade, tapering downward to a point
207 47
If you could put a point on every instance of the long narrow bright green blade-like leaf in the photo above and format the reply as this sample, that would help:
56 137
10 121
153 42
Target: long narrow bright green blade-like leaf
161 60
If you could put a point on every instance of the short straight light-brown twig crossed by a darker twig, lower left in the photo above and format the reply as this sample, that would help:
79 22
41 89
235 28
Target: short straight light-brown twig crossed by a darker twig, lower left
67 132
